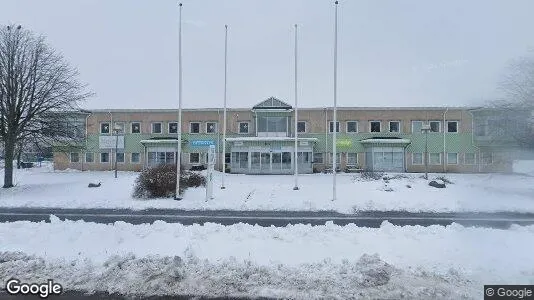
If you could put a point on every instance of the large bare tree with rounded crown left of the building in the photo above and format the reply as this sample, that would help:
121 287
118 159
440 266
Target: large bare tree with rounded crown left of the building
37 90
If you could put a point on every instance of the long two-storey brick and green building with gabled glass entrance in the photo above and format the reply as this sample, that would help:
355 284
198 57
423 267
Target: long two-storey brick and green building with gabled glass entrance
260 140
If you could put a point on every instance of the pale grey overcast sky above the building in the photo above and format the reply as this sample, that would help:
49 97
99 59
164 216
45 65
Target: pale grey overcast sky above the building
391 53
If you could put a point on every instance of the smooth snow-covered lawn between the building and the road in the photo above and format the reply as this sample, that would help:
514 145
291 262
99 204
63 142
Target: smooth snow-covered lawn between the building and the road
42 187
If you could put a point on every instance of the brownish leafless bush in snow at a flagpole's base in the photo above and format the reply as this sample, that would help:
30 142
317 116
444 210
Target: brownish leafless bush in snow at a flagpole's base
160 182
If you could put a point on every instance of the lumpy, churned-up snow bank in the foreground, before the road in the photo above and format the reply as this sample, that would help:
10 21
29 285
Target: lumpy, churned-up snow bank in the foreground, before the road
298 261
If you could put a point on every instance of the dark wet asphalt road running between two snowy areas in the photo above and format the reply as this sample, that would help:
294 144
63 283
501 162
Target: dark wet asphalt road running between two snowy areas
267 218
